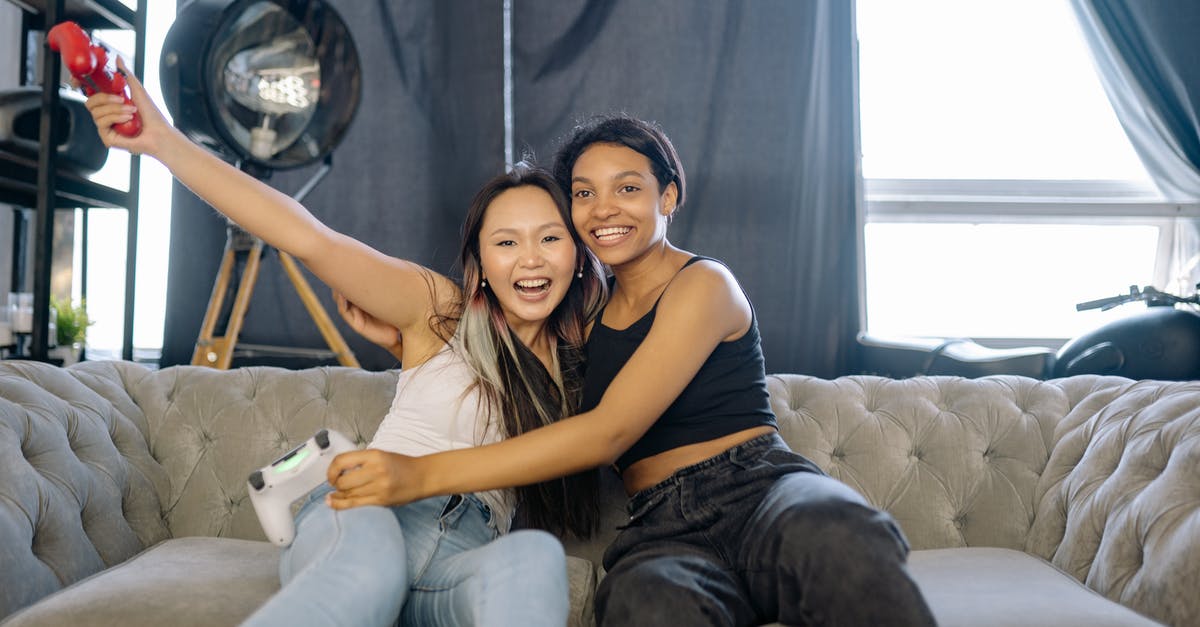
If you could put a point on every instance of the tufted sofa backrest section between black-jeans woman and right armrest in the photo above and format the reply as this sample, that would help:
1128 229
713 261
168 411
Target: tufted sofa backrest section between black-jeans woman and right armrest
956 462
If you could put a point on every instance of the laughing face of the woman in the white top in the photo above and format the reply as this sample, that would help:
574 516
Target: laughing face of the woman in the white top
529 258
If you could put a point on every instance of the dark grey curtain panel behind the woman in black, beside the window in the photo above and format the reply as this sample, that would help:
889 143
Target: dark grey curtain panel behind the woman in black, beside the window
759 99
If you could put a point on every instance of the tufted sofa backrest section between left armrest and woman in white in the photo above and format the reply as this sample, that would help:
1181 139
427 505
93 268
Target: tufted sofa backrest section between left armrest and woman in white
212 428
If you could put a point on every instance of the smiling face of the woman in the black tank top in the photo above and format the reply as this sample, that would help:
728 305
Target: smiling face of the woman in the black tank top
616 204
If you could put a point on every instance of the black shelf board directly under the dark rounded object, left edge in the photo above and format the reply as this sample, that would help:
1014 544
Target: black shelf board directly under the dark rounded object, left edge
19 187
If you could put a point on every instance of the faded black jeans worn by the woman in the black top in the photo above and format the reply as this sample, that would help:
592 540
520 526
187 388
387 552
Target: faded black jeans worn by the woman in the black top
758 535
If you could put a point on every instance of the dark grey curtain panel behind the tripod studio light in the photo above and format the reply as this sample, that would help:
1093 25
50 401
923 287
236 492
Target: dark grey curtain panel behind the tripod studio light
429 133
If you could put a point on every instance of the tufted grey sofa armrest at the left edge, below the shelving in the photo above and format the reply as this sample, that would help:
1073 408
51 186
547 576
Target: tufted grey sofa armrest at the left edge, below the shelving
79 487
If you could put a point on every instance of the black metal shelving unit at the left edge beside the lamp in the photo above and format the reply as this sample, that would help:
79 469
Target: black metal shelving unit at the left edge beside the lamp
40 184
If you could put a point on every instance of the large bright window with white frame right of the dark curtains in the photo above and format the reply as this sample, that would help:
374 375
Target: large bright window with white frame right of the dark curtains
1001 189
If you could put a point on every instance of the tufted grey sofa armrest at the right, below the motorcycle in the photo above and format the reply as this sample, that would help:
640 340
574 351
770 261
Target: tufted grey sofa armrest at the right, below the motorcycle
1119 504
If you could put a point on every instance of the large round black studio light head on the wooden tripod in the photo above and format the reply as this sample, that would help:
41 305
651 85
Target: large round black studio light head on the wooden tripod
269 83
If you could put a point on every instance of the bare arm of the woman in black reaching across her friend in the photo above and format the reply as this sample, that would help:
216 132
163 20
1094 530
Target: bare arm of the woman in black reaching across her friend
683 336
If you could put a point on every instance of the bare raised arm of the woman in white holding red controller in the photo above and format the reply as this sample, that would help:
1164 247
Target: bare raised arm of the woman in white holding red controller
393 290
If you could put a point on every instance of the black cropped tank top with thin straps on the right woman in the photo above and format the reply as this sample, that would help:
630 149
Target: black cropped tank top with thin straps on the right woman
729 393
